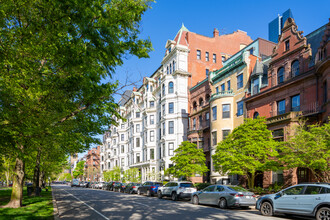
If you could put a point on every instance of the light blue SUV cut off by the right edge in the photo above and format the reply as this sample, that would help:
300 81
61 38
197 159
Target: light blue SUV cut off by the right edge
309 199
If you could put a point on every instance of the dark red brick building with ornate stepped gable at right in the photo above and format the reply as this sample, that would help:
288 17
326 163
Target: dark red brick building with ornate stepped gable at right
298 79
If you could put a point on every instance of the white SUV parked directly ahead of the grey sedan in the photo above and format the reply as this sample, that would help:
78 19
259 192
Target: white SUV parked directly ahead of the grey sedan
176 190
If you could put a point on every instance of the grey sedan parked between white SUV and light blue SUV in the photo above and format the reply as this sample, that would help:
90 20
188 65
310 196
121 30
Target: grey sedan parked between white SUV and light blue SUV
224 196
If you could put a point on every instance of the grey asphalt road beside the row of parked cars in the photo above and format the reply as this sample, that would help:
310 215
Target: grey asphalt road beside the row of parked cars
82 203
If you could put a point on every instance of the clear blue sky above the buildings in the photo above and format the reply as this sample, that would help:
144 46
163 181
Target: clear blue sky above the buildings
165 18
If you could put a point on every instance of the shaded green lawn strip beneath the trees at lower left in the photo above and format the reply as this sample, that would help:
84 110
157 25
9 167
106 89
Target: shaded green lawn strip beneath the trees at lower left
33 207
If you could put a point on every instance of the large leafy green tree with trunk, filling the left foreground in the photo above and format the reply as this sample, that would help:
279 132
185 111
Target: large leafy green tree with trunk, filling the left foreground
54 55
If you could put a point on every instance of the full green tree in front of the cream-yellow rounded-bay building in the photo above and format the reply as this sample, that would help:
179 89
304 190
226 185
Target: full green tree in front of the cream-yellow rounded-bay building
248 149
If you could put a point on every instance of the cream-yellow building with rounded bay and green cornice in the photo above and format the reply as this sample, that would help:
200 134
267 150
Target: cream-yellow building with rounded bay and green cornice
229 86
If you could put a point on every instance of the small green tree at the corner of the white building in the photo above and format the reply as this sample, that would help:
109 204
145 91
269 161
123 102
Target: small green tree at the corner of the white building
188 161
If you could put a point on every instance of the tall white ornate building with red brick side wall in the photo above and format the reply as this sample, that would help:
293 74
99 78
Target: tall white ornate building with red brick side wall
156 114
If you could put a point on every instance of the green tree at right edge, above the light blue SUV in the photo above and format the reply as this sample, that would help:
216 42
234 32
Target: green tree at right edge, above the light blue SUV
309 147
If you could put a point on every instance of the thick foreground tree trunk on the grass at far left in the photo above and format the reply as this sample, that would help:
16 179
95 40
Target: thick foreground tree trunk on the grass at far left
18 180
